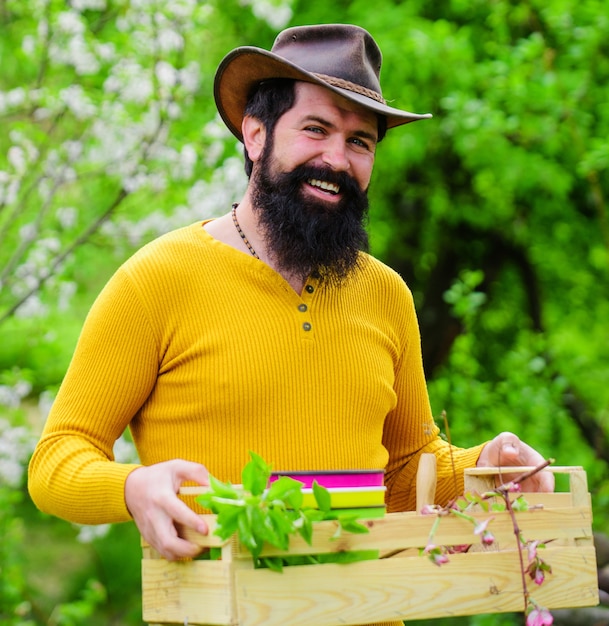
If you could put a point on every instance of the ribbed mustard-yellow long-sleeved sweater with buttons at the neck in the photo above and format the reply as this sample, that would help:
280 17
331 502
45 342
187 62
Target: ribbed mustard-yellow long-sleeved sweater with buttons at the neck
206 353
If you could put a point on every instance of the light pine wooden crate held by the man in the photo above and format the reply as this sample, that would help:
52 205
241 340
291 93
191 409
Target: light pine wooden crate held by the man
401 585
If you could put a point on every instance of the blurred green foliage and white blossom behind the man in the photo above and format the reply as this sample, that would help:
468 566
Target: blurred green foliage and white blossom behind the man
495 212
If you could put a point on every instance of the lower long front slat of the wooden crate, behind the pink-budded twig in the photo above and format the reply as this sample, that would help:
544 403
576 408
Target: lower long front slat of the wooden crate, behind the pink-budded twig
411 588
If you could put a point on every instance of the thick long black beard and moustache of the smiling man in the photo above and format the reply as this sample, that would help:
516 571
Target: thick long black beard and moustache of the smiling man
306 236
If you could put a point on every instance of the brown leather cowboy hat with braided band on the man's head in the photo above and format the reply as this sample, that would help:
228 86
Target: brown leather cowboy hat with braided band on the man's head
341 57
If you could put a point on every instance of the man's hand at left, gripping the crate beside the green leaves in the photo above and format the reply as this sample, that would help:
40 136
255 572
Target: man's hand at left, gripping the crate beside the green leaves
151 497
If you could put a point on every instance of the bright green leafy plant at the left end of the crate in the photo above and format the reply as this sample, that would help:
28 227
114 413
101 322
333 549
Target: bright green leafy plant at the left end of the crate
261 514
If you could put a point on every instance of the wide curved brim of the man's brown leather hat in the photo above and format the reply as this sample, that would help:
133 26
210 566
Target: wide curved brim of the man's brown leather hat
243 68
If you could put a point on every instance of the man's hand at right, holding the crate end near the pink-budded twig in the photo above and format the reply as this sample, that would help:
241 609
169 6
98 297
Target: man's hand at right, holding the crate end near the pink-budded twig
506 449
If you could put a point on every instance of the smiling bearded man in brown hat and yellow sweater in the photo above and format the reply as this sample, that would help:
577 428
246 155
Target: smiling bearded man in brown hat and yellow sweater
268 329
